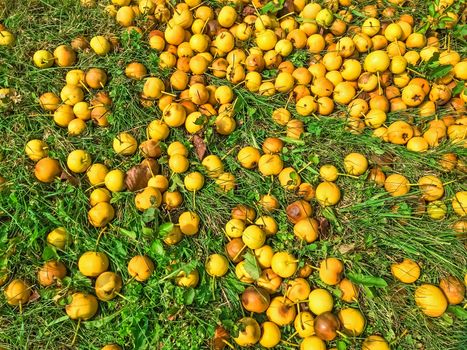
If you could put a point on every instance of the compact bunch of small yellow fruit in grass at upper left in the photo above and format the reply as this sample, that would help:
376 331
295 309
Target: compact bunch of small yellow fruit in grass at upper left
70 110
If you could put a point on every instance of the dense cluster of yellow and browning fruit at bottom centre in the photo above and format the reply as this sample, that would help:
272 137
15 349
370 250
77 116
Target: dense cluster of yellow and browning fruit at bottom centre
281 289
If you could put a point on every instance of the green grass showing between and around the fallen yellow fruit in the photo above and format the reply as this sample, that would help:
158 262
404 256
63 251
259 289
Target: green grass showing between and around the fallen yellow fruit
365 233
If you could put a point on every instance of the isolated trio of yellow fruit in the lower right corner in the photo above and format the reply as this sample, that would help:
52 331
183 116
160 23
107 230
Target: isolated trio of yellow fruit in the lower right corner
432 300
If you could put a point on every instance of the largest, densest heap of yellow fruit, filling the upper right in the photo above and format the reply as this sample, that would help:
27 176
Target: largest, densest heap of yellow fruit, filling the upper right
366 68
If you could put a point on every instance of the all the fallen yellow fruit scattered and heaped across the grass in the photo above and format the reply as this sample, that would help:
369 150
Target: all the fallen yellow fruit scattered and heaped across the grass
369 72
